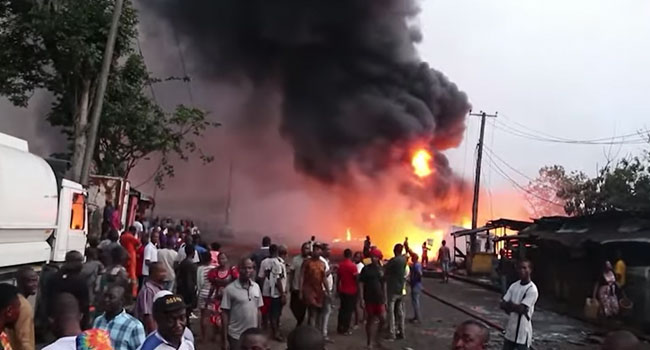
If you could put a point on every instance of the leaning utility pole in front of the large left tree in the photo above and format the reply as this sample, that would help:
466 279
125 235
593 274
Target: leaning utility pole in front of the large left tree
101 89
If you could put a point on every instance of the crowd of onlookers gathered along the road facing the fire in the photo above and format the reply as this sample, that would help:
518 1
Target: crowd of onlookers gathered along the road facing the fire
141 289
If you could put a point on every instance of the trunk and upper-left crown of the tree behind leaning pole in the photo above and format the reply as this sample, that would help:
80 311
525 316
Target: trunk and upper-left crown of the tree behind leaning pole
57 45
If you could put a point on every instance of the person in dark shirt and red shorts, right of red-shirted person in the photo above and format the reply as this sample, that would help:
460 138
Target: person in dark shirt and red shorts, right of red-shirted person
371 287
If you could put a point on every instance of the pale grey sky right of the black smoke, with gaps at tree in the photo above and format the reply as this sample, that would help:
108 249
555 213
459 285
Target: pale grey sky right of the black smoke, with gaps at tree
572 69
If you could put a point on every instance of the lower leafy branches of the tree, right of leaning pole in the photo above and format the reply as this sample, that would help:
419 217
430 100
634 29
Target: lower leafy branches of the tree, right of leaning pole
133 126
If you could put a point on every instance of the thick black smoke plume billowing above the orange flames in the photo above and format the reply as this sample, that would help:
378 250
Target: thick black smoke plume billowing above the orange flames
353 87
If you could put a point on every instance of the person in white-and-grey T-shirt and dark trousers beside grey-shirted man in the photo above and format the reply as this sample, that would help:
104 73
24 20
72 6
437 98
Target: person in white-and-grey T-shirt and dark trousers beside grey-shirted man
275 284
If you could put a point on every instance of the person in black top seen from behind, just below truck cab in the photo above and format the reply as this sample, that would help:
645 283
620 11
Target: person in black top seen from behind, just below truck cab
69 280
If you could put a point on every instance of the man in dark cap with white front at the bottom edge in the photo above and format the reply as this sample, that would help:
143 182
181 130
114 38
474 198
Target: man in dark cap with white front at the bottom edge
169 315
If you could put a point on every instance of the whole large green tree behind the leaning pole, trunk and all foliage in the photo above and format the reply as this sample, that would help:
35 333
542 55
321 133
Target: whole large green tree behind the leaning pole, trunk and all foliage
58 46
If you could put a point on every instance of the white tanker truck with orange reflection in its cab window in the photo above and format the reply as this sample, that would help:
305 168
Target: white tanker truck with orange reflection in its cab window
42 215
